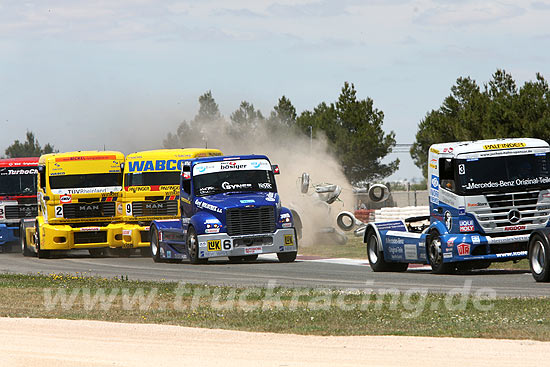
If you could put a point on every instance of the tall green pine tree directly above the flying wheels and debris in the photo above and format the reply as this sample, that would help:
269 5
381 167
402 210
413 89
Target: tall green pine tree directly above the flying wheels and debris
353 128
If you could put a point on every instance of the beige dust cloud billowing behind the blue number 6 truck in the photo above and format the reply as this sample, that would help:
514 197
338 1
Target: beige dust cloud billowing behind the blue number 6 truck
295 153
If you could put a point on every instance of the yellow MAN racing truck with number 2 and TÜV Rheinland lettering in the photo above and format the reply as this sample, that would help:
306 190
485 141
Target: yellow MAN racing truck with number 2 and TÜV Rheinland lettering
78 193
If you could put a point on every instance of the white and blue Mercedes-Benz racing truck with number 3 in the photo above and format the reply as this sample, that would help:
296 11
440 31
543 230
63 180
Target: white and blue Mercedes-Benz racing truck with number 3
487 199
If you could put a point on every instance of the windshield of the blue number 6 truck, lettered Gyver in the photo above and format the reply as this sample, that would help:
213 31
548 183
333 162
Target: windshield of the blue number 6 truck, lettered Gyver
231 181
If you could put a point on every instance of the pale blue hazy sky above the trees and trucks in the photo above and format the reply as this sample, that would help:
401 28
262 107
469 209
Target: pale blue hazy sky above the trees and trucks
122 74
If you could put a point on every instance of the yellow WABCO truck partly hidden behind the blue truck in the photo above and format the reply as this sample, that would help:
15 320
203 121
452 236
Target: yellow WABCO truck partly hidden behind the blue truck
151 191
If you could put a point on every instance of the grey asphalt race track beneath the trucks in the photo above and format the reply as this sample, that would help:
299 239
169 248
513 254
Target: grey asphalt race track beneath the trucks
268 271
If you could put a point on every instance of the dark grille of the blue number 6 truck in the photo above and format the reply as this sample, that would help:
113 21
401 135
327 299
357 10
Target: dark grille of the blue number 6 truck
244 221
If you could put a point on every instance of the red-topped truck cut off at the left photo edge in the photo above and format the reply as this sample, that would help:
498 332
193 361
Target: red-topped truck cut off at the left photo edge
17 197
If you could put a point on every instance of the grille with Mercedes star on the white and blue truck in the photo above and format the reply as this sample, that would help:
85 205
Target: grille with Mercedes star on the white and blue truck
496 216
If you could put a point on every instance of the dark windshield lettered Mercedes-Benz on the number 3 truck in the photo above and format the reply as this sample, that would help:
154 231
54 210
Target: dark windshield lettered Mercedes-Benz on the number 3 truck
508 173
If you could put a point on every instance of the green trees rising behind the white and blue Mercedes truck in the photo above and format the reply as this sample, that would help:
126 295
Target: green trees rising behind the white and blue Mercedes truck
498 110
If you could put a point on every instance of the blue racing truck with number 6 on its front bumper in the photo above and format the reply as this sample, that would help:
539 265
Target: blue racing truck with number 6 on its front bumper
229 208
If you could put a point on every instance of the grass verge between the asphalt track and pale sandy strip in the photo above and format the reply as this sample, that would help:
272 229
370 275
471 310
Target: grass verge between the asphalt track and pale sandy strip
280 310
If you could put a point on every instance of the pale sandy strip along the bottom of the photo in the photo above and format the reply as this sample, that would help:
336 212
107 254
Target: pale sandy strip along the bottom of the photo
73 343
